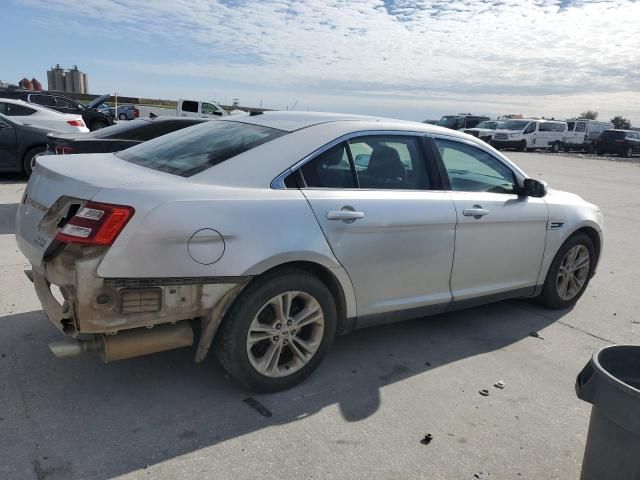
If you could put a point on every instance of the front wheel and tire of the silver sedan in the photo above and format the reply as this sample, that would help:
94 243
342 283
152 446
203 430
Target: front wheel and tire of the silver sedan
551 295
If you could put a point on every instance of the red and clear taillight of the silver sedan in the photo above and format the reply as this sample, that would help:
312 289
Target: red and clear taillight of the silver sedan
96 224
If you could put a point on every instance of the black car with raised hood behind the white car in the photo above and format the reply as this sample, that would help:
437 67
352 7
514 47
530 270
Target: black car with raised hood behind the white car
93 118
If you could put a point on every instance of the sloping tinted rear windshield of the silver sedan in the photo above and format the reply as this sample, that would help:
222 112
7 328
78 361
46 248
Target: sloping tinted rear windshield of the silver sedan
195 149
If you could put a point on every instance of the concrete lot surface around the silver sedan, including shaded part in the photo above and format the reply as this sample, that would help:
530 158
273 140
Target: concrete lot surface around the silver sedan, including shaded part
364 411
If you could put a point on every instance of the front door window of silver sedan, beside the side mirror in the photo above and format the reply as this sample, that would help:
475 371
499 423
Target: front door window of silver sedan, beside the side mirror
471 169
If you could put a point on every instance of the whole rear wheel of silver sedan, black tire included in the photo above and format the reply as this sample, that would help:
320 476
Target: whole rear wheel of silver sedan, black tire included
254 309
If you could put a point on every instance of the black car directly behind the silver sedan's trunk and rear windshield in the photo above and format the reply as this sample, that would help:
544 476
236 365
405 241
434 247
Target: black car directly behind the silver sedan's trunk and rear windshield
117 137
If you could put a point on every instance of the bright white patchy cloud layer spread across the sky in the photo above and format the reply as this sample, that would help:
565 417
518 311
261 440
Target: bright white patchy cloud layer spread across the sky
537 53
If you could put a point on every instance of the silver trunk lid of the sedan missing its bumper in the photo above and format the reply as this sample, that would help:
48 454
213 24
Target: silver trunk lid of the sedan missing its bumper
59 184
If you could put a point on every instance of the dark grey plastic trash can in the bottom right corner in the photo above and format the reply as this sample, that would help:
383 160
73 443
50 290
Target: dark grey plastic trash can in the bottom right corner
611 382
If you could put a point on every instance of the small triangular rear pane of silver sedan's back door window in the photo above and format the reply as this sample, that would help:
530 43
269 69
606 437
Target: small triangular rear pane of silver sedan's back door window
330 169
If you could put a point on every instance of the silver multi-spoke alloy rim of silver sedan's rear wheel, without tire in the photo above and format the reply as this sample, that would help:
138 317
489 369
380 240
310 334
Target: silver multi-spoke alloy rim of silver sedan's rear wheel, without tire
285 334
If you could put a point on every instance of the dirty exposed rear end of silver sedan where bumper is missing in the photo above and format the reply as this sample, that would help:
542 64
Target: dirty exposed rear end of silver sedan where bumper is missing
89 304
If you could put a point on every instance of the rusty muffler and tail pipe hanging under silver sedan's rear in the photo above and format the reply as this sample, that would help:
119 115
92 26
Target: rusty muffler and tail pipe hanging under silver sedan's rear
129 343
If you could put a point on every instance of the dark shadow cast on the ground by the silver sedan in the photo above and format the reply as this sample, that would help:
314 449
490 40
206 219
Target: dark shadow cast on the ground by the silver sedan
80 418
